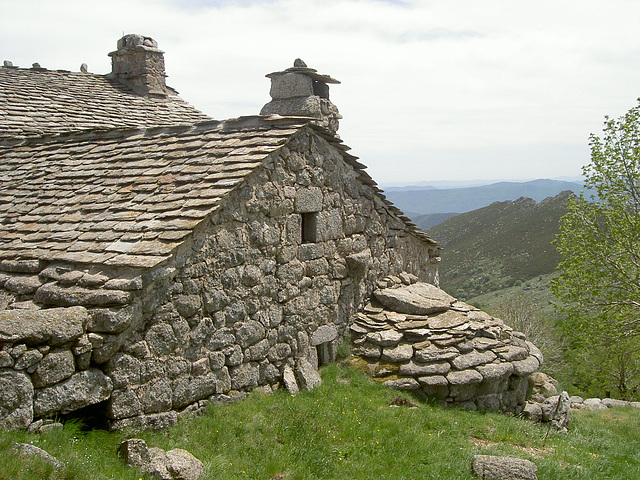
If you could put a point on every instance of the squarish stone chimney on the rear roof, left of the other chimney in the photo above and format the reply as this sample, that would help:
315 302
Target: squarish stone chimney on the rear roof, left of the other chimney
139 65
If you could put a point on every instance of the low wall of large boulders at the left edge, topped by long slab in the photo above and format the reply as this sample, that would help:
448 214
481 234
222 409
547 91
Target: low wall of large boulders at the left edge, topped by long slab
45 365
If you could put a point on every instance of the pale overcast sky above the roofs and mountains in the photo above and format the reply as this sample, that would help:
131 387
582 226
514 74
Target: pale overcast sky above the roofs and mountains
431 90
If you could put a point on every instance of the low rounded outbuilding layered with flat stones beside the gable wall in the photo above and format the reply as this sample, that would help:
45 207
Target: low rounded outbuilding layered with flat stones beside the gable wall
414 336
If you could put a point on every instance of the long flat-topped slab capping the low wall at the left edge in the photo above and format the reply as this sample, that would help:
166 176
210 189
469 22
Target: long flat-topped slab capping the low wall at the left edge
53 326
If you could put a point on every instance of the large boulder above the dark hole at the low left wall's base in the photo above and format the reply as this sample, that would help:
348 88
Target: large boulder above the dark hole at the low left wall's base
82 389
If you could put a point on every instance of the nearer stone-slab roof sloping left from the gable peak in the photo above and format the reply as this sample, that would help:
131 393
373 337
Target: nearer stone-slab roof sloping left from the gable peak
128 197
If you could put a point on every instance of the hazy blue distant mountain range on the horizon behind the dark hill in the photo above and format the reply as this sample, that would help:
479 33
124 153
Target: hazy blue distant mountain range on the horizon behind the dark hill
415 201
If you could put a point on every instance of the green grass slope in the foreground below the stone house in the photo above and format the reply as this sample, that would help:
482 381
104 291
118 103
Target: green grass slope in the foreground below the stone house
346 429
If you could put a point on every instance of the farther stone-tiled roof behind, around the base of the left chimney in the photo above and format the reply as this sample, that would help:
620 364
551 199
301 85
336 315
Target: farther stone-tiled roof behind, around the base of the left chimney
38 101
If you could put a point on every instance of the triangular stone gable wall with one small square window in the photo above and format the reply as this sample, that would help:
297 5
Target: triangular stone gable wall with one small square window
247 296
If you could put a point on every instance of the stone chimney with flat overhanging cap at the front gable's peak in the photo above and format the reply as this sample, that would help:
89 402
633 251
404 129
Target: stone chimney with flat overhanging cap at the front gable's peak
302 92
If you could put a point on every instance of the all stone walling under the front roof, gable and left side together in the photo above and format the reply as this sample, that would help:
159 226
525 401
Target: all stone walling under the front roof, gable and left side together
275 274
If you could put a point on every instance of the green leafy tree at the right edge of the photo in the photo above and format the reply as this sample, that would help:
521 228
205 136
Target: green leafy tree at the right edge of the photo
599 276
